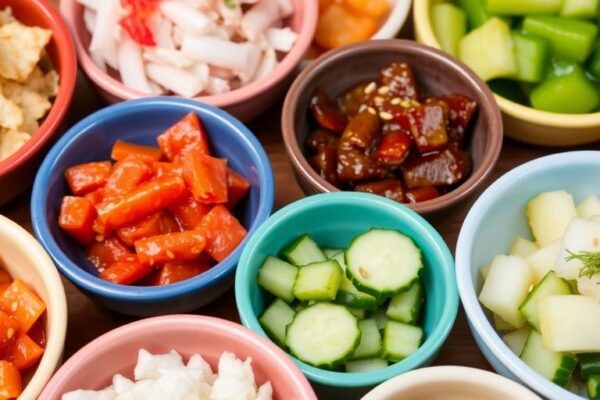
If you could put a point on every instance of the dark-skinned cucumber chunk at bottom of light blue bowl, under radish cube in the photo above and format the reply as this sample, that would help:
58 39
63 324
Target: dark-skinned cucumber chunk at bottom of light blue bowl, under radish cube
556 367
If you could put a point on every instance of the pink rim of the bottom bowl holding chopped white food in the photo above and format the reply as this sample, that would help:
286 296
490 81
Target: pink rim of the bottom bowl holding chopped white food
169 323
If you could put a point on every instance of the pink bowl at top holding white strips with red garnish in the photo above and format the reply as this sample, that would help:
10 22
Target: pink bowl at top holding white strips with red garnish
244 103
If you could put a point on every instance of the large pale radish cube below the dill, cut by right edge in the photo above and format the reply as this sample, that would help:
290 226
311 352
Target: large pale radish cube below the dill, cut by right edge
570 323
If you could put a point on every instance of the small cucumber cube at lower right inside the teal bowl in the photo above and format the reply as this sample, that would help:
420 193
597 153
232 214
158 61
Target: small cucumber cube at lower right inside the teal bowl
400 340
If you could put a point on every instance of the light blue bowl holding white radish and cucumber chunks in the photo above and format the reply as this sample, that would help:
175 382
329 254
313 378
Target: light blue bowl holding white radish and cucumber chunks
489 229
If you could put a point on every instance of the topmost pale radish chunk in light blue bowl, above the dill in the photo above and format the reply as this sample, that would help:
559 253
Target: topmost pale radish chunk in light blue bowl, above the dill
549 214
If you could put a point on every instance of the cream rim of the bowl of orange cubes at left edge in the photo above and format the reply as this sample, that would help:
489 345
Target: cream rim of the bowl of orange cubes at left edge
57 303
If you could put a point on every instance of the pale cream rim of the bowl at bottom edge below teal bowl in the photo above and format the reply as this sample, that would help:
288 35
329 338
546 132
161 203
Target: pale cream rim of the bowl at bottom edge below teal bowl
465 375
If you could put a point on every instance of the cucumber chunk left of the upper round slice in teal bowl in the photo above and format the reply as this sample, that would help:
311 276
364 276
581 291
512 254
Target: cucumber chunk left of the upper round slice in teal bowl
318 281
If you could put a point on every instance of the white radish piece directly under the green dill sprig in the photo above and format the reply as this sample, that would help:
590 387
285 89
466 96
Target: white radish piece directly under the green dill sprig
581 236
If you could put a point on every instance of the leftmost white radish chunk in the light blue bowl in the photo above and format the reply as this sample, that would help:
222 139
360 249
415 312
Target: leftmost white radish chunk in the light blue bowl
506 287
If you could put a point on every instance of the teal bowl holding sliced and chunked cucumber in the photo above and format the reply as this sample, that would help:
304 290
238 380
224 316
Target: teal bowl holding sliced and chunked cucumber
333 220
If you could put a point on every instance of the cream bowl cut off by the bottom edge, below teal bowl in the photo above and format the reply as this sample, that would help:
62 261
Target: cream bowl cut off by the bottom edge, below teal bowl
450 383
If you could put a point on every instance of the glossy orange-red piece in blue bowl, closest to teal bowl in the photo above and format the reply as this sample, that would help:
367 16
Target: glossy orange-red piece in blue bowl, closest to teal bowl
223 232
